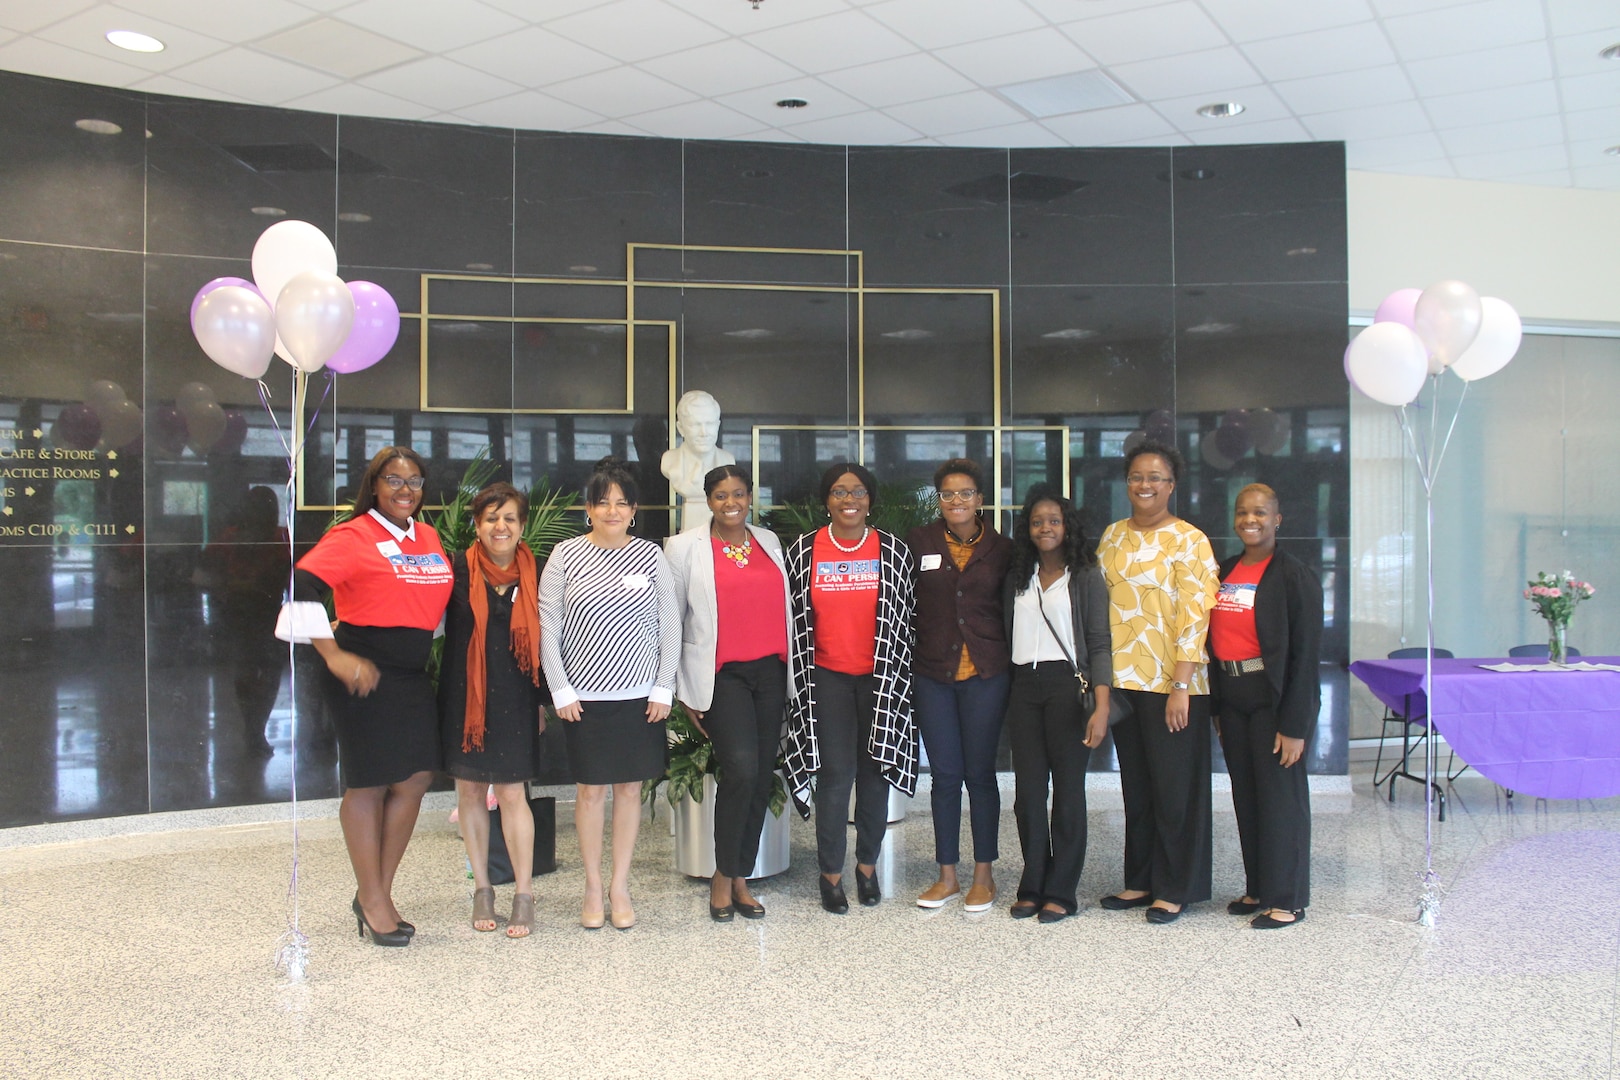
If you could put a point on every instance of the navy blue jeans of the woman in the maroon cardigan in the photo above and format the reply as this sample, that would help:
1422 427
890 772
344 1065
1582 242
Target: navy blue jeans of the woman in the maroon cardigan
961 728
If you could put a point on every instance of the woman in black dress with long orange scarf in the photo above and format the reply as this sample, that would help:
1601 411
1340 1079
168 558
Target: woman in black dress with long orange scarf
492 697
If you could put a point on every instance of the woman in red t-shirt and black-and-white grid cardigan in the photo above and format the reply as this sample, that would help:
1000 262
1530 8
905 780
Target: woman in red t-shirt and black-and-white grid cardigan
850 718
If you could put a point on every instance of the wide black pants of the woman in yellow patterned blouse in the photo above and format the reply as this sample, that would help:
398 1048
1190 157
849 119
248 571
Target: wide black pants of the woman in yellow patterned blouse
1166 781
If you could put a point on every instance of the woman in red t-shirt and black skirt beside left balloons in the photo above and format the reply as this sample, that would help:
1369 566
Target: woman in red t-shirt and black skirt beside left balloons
390 584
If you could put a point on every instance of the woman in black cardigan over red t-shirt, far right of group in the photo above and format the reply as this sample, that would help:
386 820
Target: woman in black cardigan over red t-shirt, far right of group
1266 636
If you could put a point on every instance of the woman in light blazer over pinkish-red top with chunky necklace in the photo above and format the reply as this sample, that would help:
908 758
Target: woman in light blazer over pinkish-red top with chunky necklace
731 587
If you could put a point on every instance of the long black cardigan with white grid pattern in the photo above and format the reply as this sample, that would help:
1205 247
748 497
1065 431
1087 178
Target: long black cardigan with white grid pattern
893 742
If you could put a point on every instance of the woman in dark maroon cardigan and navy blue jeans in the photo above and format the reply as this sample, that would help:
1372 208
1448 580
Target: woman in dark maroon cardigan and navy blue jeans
961 665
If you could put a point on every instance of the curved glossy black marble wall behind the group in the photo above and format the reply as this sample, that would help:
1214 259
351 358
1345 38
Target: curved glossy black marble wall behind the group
1192 294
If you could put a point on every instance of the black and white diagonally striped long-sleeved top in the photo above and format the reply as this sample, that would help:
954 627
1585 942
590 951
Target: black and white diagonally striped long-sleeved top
610 629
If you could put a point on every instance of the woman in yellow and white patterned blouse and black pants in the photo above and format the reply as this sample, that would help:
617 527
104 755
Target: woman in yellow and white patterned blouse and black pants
1162 582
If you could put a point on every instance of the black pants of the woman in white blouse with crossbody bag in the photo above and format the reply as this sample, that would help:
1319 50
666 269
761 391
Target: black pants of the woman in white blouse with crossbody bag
1047 731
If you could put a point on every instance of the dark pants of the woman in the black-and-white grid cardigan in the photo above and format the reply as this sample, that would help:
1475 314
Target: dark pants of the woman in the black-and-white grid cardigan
845 710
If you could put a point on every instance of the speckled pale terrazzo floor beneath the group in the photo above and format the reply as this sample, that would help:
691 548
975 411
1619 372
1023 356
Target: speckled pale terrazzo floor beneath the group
150 956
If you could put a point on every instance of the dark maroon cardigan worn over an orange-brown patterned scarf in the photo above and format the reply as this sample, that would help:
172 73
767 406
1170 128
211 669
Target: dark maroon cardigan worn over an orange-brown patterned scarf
958 608
